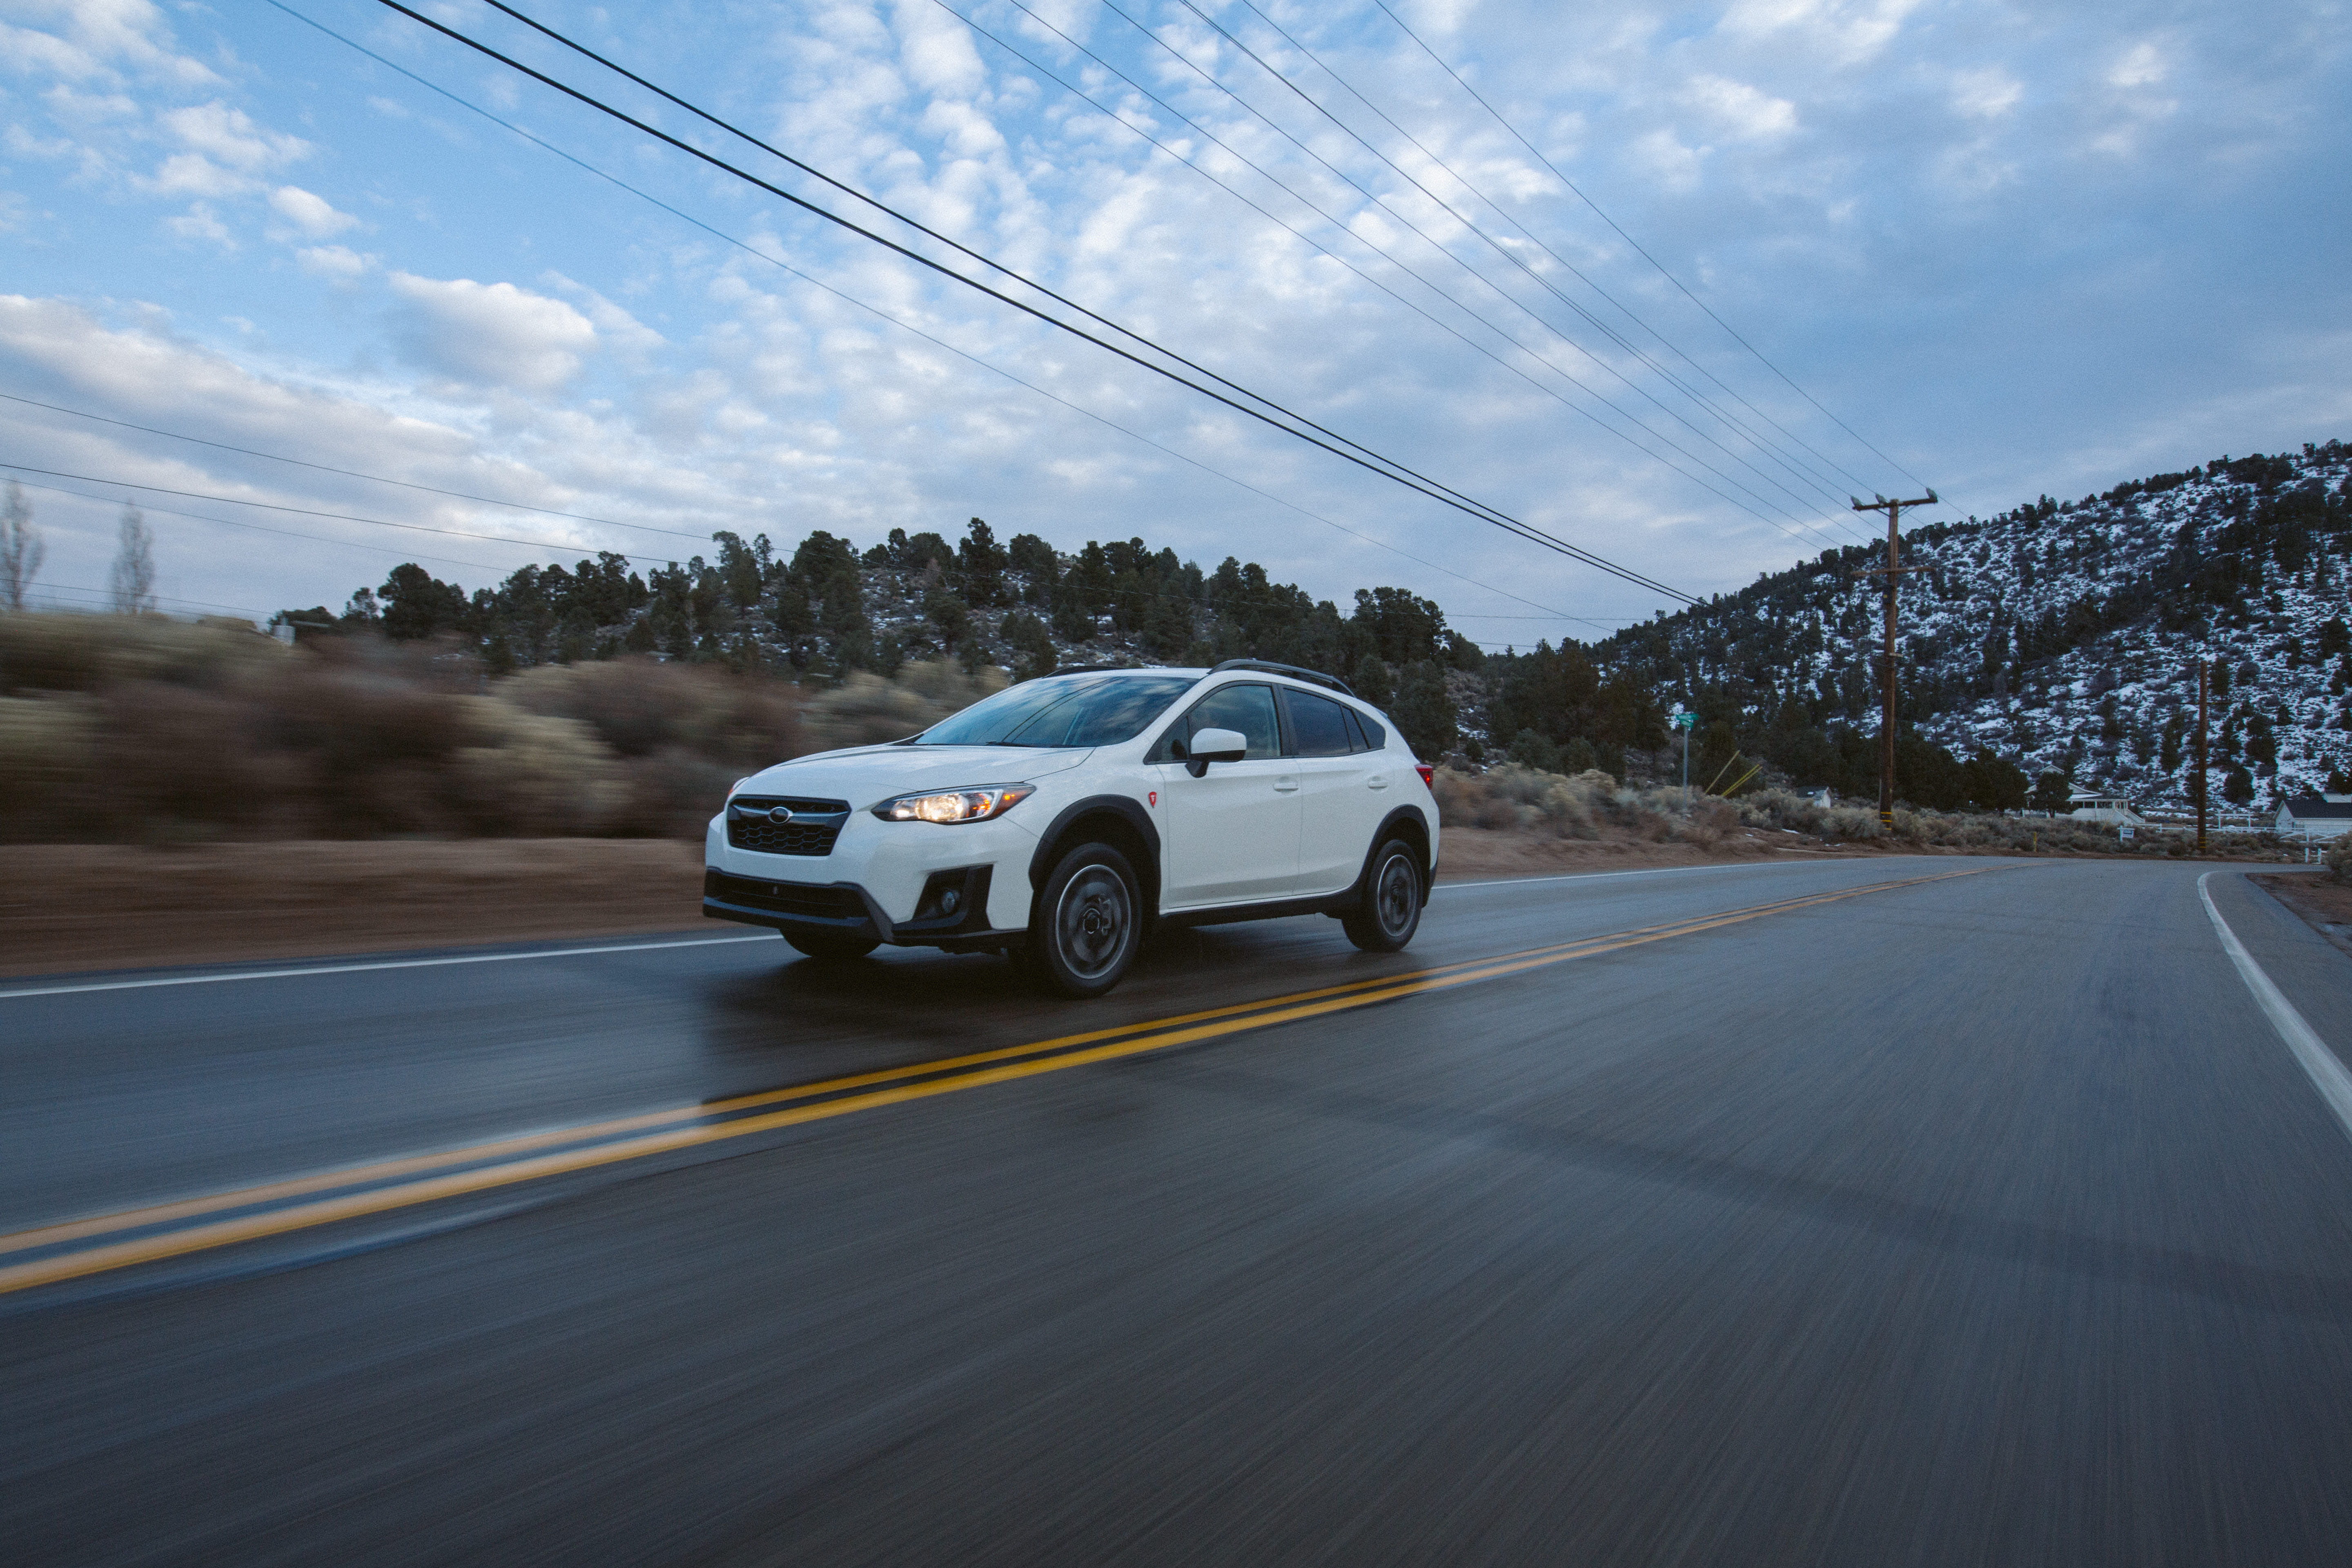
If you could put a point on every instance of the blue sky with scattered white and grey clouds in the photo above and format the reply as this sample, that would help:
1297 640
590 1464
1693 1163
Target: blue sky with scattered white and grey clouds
2000 248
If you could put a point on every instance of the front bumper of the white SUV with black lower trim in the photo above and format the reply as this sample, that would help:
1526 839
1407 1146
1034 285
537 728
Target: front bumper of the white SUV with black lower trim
916 885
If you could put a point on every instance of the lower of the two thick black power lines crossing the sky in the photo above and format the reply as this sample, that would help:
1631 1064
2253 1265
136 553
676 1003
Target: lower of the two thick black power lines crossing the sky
1372 462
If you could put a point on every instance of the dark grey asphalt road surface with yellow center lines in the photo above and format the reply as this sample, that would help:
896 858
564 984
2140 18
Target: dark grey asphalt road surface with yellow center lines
1855 1212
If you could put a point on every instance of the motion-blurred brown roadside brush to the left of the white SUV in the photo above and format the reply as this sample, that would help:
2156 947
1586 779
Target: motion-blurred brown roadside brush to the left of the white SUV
152 730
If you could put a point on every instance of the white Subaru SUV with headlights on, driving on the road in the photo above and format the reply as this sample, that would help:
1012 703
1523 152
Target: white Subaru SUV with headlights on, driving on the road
1062 817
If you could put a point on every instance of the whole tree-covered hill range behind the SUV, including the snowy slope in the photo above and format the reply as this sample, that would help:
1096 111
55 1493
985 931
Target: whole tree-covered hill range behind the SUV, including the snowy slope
2043 650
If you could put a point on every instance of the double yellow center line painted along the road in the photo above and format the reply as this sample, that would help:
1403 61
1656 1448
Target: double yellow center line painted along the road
425 1179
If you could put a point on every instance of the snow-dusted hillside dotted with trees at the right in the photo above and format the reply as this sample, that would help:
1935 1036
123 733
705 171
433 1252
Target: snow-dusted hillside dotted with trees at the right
2066 636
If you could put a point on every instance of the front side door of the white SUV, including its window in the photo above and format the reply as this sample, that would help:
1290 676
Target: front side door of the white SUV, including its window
1231 836
